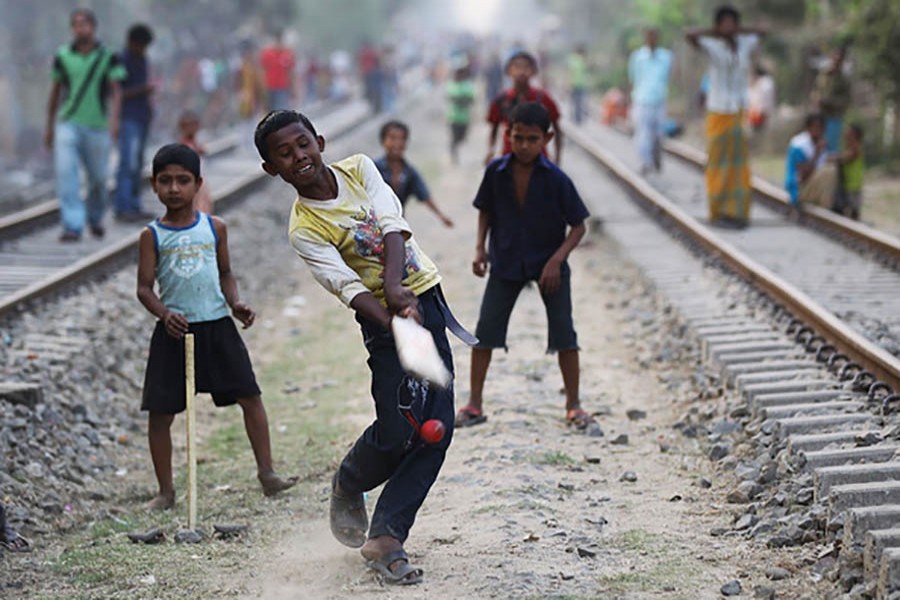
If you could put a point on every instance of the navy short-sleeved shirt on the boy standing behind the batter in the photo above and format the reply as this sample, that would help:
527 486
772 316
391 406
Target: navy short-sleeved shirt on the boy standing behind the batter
523 238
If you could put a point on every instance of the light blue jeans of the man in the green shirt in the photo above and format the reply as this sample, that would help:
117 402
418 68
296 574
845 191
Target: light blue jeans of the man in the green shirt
74 144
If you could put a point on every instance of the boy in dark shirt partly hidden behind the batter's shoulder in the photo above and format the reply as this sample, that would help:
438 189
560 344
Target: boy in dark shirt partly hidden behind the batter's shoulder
403 178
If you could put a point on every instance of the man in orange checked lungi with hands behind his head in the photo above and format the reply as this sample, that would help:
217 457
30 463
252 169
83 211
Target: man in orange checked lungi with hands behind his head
729 47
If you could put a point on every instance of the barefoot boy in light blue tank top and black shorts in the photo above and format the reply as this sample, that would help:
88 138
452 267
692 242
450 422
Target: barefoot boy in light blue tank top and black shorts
186 252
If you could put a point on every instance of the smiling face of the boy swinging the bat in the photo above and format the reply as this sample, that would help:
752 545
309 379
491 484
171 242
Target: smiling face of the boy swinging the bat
295 155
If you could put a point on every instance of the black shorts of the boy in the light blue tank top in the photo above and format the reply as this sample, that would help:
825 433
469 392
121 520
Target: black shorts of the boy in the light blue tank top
221 367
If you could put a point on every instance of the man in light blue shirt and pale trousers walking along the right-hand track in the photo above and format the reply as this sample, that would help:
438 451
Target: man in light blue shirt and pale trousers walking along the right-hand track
648 72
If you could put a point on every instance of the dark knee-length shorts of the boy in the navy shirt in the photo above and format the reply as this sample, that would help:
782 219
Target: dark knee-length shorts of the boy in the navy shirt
500 297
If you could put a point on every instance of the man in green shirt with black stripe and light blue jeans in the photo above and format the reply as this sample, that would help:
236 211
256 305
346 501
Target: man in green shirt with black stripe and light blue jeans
82 121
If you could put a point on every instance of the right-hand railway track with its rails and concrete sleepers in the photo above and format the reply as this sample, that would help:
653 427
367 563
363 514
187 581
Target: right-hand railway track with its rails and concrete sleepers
819 388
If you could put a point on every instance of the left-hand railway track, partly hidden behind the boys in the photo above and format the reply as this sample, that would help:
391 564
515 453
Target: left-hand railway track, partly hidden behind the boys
33 264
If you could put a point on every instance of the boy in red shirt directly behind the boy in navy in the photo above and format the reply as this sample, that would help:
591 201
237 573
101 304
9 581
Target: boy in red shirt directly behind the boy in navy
520 68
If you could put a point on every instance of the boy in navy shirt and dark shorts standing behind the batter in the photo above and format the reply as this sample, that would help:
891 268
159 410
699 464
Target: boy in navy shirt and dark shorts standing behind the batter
526 203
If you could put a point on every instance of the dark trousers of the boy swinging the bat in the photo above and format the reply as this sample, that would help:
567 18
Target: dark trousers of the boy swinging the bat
388 451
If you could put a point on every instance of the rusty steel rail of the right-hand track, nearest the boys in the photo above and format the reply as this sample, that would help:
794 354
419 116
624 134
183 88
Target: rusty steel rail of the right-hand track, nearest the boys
881 363
